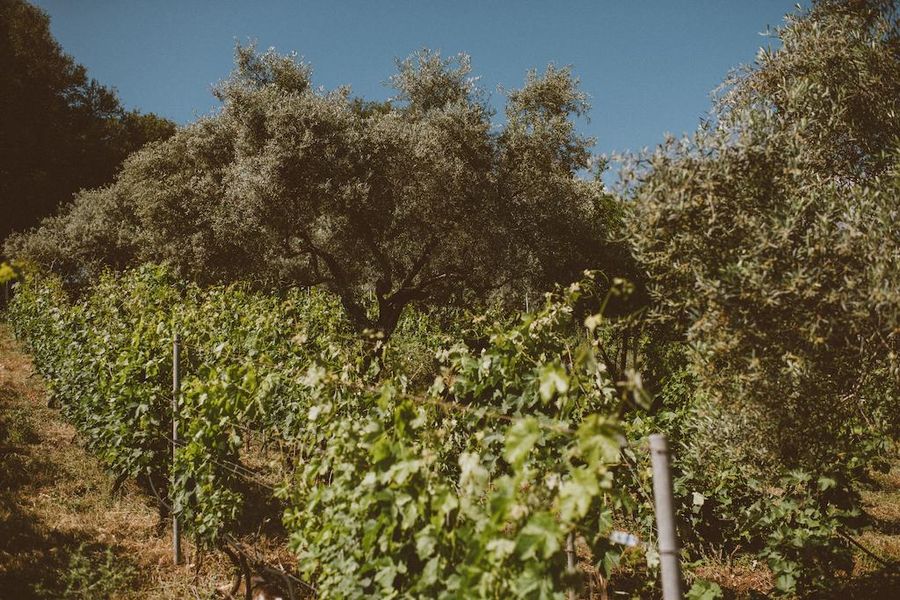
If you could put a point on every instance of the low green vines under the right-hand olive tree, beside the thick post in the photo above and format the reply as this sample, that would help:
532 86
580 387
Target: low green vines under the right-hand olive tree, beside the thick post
728 503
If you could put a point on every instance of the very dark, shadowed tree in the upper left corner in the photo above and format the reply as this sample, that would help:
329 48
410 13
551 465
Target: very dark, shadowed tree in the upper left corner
60 131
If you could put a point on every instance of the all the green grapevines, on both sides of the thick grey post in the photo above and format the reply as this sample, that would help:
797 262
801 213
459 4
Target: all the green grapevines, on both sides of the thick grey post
389 481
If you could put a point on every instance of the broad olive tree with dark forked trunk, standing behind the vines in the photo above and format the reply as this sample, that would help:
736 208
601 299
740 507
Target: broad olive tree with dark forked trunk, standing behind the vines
420 199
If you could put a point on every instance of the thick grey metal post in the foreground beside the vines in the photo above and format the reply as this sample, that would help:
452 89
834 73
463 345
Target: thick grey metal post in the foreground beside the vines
669 551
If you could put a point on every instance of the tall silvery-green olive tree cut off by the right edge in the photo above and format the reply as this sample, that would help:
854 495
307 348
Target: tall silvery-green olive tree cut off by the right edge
770 238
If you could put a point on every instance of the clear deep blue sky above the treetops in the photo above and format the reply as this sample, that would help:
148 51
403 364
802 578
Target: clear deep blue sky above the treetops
648 65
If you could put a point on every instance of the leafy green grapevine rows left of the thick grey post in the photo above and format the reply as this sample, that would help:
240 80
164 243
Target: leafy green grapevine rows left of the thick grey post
487 470
